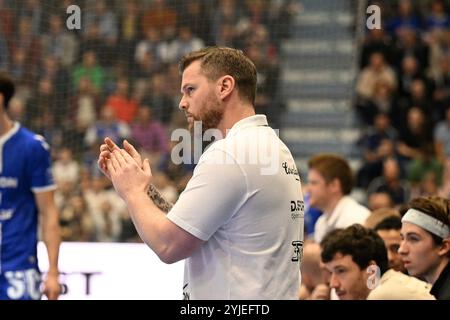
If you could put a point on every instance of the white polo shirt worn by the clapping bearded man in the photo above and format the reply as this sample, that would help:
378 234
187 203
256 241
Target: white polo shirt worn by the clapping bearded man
245 201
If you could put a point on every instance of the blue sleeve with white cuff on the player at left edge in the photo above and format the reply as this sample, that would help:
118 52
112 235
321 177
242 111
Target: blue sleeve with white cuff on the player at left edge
40 166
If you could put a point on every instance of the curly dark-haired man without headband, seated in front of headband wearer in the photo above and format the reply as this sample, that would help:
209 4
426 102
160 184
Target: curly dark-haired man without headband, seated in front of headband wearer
357 260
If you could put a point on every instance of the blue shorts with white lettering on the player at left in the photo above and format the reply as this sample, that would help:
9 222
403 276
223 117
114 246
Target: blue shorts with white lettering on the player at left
20 285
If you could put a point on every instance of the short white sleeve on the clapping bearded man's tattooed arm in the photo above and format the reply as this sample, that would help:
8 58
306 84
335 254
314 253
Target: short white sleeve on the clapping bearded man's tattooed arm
211 198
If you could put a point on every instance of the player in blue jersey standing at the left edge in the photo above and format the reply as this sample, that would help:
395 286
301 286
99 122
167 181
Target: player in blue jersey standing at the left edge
26 188
